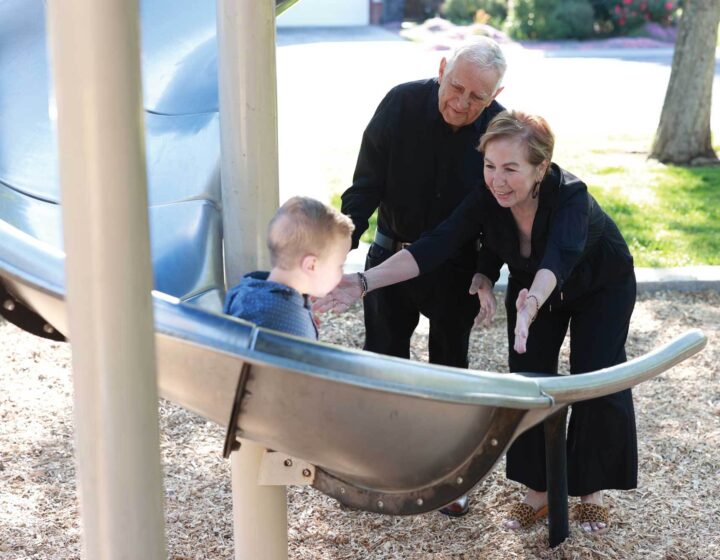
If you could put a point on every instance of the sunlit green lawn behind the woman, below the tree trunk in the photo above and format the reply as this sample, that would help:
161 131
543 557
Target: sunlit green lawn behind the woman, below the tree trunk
670 216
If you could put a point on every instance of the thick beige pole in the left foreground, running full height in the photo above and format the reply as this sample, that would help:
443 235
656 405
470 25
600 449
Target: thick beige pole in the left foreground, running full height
95 53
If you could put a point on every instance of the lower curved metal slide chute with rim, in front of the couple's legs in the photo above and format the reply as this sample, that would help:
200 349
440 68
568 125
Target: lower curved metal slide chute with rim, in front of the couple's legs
386 435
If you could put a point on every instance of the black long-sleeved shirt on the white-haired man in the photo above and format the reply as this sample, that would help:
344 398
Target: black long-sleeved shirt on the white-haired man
412 166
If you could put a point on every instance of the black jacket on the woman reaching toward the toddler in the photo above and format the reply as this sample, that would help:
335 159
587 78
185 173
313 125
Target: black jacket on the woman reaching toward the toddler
571 236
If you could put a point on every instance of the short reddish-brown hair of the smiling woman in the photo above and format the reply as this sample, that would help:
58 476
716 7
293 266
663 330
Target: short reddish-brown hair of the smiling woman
533 130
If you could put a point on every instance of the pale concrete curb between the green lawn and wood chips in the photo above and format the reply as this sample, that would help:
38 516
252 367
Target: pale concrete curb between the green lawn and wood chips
682 279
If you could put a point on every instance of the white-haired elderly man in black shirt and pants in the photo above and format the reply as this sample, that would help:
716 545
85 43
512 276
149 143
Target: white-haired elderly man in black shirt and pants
417 161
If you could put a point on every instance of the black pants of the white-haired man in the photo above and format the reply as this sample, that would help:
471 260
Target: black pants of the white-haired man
392 313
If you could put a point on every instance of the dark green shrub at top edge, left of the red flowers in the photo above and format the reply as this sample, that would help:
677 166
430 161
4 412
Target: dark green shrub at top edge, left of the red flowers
550 19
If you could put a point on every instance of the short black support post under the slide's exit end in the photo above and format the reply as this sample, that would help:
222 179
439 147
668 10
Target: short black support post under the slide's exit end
556 468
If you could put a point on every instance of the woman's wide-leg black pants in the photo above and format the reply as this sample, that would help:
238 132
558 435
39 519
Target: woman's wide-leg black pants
601 440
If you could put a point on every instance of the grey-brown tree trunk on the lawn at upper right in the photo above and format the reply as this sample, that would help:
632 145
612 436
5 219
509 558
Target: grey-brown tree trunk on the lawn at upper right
683 135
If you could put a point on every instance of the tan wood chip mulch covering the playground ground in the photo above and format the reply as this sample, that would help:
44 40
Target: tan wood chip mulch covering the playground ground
673 515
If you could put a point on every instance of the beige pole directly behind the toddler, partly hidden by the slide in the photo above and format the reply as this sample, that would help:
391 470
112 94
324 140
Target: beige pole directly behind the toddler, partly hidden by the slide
249 172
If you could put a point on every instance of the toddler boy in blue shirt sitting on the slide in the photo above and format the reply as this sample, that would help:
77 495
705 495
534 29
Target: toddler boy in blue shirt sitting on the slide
308 244
